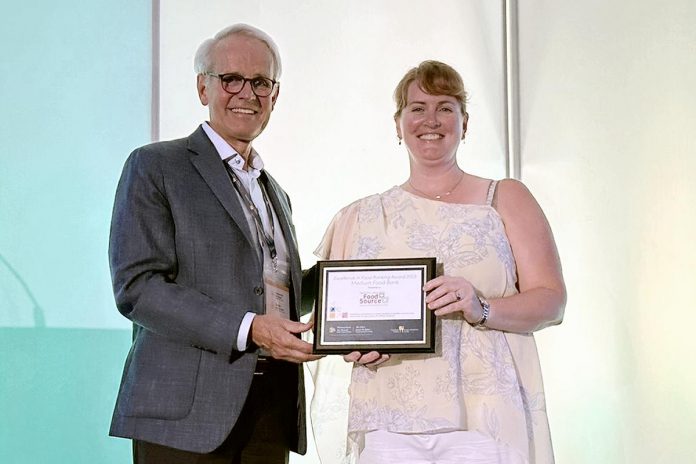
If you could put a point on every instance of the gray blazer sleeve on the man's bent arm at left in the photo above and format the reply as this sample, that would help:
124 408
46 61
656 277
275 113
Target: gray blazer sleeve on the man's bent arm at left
145 267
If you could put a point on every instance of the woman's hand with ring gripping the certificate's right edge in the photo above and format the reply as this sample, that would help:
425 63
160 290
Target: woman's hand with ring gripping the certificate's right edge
447 295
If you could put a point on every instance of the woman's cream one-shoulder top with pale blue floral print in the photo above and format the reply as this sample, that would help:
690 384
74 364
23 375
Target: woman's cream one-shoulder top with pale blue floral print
478 380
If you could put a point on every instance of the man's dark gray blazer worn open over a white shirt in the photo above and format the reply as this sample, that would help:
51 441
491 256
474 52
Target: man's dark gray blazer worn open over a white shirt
185 270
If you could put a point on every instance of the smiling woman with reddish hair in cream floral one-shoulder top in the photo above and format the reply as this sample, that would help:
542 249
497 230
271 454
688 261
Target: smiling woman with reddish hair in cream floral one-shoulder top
480 397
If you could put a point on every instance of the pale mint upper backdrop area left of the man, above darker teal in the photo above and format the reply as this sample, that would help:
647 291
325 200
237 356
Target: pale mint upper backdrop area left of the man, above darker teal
75 87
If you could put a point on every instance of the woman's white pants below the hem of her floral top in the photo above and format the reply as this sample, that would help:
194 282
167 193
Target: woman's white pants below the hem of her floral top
383 447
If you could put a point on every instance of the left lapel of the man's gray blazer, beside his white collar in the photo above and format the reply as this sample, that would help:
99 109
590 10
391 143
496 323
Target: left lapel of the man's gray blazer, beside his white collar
208 163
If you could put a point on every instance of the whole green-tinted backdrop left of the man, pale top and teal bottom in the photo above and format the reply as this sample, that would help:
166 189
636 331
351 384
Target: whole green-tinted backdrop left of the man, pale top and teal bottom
75 88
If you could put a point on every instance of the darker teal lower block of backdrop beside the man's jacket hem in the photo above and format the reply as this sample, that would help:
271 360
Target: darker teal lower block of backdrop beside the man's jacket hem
57 391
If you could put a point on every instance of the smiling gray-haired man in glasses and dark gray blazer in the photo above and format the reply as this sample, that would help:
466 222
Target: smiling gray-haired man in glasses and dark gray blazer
204 262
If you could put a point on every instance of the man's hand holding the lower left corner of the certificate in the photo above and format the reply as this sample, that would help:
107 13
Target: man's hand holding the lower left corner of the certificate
276 336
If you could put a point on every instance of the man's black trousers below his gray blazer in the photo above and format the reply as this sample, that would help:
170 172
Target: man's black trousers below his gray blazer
262 434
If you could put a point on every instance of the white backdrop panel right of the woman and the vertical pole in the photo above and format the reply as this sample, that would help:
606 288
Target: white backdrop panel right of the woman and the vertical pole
608 147
